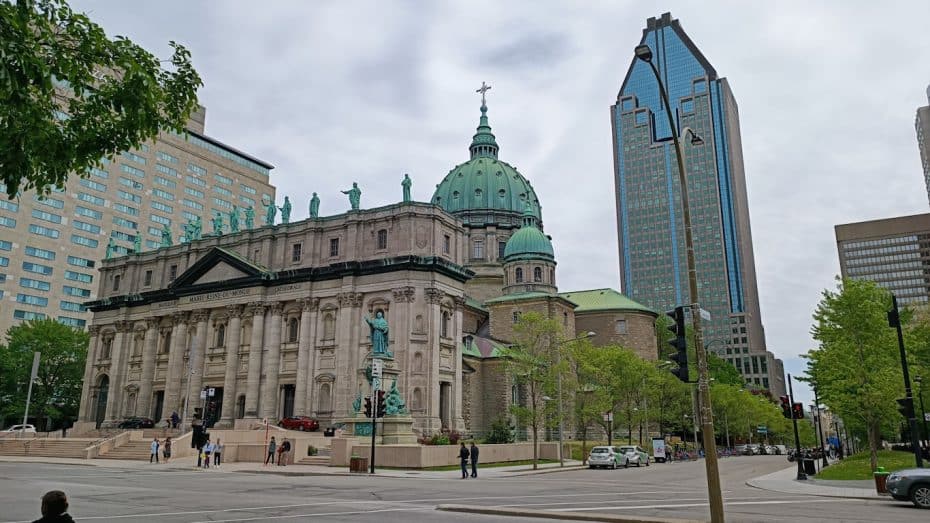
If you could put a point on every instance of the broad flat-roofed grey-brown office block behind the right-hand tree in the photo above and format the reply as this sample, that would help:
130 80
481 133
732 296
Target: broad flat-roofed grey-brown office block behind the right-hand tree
893 252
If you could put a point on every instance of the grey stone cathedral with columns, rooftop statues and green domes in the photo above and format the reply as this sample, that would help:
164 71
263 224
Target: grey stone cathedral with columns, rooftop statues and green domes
285 319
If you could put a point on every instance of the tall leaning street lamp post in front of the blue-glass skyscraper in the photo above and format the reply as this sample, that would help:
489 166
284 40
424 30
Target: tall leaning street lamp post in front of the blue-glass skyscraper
715 497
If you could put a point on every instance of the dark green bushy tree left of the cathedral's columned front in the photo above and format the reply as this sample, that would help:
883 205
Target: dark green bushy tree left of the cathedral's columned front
56 393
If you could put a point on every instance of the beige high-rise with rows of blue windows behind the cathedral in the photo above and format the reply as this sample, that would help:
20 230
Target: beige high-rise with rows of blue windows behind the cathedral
51 247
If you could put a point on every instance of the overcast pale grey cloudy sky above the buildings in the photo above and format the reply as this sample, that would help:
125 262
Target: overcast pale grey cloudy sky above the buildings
365 91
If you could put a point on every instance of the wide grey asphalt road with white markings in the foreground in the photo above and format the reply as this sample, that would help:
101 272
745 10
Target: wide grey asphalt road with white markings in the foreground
664 490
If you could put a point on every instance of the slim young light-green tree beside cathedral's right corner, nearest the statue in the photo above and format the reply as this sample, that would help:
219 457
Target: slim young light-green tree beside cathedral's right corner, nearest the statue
534 364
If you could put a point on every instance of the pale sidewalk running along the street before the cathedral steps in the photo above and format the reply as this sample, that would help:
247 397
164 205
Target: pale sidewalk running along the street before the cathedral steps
186 464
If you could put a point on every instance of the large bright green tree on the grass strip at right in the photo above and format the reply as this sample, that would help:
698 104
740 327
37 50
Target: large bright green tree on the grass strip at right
857 368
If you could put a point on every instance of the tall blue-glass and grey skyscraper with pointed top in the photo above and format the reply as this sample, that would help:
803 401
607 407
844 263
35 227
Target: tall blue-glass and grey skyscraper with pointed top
653 263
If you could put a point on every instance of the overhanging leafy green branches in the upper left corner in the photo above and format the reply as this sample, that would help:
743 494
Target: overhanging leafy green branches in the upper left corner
70 95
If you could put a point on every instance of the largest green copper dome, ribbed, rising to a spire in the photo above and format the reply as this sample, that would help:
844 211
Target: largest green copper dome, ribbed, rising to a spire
484 182
